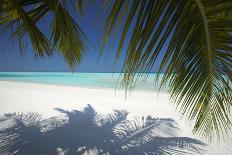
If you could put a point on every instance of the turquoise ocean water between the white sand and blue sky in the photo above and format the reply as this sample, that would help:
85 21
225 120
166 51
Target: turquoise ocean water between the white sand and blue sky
96 80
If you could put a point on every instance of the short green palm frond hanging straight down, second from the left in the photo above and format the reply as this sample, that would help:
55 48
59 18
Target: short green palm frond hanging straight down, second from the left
66 36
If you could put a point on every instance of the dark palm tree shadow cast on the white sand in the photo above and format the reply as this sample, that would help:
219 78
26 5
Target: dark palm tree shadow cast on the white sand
88 132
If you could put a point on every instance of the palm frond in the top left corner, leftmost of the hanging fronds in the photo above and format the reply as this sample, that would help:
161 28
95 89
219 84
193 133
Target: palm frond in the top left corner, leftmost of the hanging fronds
13 13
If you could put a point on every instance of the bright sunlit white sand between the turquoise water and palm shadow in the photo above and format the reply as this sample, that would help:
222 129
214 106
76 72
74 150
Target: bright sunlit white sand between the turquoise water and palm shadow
43 99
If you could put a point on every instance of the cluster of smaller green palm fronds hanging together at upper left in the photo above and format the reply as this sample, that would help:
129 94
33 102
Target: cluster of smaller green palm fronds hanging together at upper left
66 36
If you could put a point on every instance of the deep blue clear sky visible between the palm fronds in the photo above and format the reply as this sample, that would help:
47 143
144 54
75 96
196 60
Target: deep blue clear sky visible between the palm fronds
90 23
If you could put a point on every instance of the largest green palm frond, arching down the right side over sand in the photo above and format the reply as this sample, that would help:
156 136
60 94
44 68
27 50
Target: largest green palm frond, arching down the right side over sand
197 63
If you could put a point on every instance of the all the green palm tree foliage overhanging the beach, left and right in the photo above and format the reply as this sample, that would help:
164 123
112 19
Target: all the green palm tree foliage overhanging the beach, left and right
191 37
